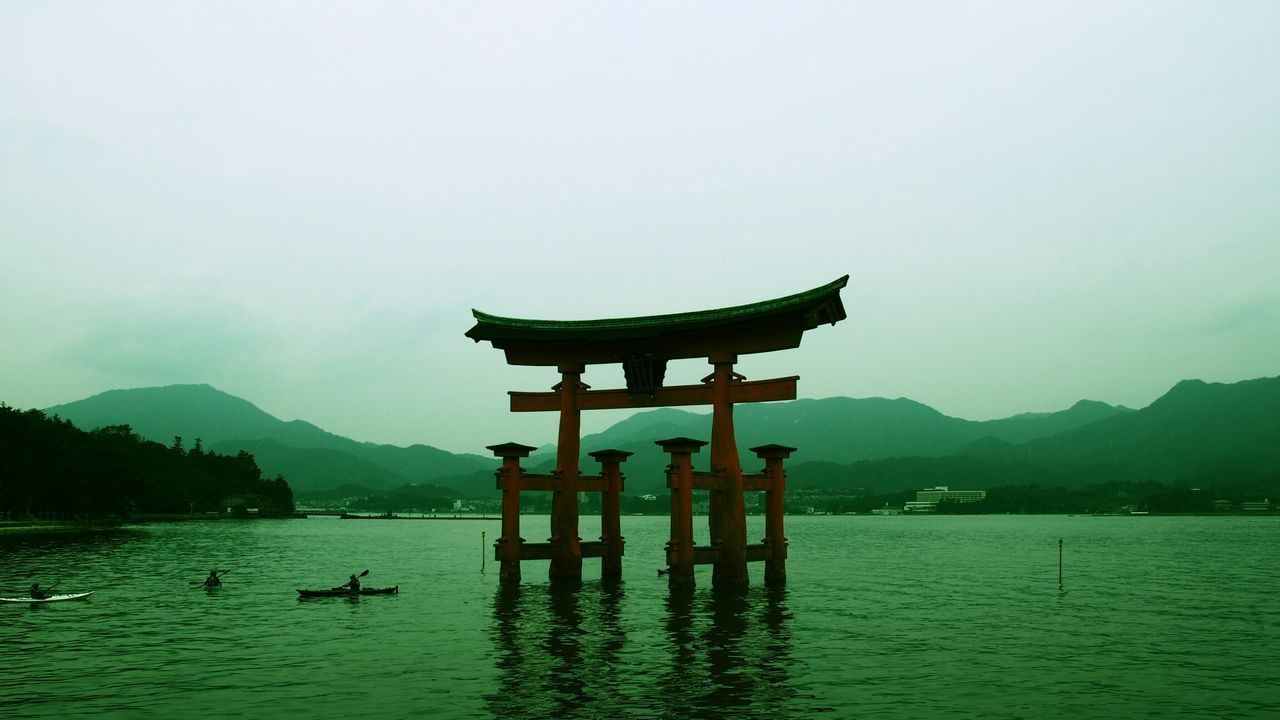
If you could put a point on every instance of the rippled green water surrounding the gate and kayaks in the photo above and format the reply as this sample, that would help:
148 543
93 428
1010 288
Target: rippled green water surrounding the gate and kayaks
883 618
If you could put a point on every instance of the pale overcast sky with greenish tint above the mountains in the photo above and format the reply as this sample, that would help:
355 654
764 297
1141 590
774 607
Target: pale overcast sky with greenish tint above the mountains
301 203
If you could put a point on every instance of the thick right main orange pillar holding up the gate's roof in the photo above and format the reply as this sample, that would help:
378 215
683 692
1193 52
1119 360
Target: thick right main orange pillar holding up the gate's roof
728 512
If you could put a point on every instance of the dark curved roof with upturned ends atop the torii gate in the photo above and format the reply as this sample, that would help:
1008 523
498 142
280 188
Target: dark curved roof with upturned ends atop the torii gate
760 327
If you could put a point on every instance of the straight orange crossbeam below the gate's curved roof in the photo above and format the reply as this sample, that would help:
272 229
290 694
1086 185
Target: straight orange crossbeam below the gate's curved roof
752 391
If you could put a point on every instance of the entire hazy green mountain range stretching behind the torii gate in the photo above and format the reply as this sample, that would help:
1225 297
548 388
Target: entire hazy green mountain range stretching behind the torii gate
1196 431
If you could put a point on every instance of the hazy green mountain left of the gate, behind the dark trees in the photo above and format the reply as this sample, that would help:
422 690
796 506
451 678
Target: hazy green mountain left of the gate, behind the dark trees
309 458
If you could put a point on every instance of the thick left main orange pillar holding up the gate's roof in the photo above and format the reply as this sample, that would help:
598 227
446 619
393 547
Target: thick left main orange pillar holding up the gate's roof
566 552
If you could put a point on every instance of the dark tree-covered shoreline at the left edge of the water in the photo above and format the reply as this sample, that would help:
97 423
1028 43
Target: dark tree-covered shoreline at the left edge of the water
49 468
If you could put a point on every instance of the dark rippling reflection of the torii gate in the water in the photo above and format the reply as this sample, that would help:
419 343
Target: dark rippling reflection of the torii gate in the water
564 653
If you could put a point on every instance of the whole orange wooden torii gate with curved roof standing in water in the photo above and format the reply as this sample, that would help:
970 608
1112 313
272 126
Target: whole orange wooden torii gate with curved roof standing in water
644 347
